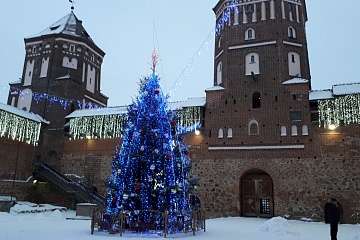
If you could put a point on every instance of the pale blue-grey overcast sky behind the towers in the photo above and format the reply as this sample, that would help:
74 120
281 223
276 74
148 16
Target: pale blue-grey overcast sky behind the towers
124 30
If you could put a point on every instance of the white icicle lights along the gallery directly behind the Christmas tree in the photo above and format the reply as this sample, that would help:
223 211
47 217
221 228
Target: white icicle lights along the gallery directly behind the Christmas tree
111 126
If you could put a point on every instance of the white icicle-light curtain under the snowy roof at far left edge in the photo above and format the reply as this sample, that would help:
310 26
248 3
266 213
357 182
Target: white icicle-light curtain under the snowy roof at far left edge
19 128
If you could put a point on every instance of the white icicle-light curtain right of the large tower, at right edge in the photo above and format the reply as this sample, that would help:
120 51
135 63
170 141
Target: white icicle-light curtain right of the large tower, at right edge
344 110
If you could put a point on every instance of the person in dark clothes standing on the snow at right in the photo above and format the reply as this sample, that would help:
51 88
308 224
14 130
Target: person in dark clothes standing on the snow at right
332 216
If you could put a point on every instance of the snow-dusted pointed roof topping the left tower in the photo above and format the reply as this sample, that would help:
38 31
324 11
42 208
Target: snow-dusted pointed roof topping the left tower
69 25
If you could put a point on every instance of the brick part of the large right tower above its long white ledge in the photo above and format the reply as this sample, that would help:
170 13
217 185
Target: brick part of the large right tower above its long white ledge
262 76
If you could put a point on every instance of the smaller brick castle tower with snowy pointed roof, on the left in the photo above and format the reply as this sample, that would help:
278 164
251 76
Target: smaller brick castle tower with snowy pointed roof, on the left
62 72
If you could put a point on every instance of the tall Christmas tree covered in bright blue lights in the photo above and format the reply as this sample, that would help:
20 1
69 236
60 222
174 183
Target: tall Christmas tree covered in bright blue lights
150 171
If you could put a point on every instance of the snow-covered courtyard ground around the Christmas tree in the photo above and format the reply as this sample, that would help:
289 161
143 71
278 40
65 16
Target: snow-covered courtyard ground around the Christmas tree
54 226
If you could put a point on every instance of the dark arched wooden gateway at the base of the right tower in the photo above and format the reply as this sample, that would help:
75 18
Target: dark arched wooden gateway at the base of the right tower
256 194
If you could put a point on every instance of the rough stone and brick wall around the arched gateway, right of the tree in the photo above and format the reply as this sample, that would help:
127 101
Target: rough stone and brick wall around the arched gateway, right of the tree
303 179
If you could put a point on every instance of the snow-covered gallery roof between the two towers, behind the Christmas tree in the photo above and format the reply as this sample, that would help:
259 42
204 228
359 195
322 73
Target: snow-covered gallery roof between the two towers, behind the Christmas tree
191 102
